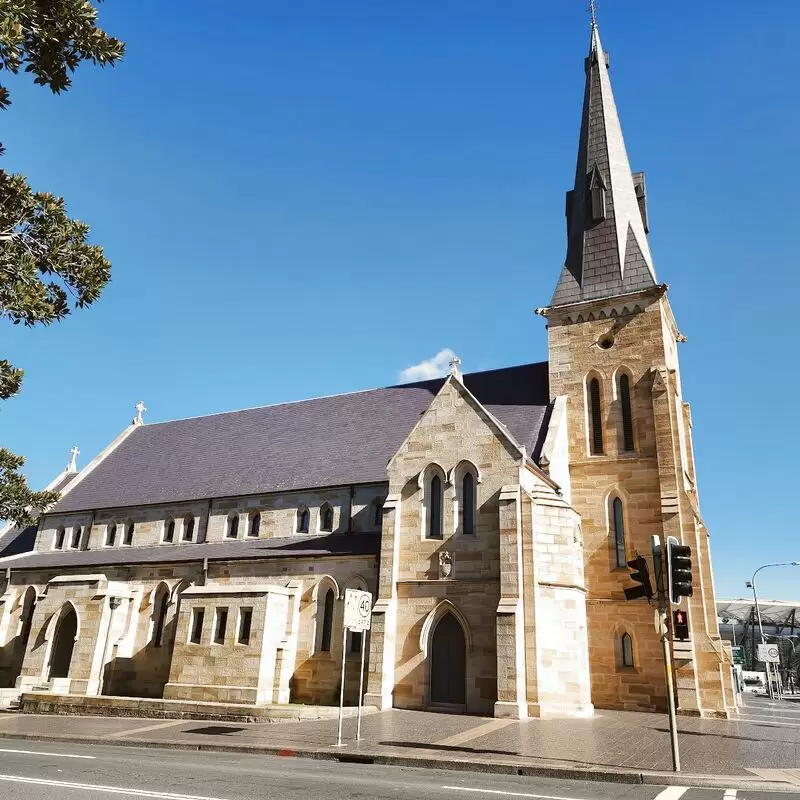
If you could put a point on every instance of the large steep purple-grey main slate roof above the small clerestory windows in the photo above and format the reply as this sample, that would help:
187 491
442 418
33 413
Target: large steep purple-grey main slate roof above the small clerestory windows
329 441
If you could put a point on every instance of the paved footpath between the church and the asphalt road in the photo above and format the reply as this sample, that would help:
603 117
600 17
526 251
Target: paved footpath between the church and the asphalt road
759 751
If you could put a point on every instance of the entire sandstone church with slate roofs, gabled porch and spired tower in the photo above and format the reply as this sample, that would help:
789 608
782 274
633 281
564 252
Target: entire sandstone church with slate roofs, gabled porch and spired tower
492 514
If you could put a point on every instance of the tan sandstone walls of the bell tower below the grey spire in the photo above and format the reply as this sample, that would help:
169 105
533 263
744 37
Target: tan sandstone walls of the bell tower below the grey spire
655 483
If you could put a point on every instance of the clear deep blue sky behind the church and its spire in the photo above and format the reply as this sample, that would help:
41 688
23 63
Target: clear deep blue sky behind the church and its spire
303 198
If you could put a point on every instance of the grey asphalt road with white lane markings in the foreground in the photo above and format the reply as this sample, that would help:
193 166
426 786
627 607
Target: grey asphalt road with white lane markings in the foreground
44 770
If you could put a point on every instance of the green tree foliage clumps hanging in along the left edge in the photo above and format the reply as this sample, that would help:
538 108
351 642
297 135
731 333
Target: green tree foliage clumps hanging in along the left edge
47 265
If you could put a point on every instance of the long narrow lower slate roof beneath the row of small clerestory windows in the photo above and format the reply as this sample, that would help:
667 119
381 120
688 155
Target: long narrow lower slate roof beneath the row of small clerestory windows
290 547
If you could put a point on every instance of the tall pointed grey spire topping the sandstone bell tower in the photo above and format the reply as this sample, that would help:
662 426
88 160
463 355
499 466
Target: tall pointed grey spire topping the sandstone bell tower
607 249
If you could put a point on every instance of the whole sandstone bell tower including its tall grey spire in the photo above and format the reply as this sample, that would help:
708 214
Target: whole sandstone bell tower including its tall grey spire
613 356
